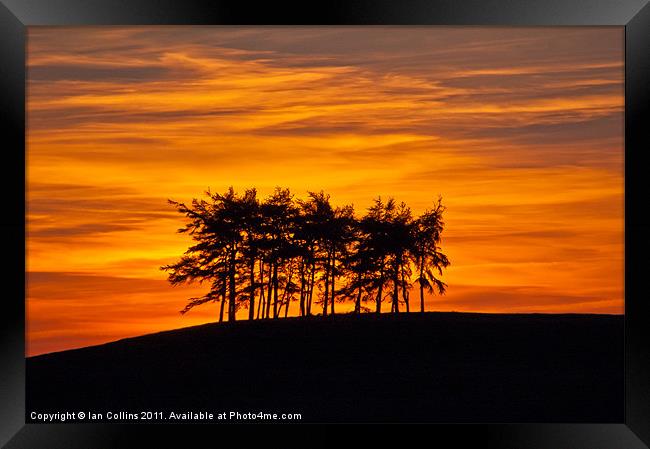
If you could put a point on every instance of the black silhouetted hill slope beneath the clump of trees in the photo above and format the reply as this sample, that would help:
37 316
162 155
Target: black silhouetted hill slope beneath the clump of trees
431 367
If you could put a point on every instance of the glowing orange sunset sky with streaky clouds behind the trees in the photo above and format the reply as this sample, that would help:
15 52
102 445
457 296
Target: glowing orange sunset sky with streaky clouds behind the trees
519 129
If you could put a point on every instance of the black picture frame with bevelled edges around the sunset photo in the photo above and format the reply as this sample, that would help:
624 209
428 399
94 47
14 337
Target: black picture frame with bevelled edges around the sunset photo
634 15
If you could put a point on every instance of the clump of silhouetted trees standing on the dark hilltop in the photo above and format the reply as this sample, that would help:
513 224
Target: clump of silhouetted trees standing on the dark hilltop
264 255
